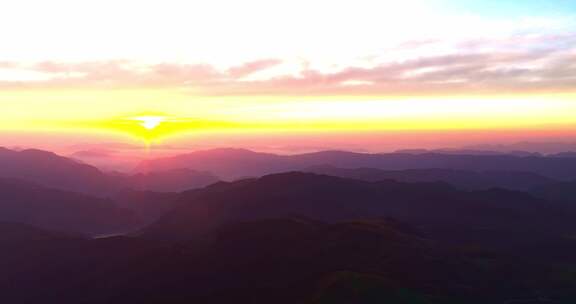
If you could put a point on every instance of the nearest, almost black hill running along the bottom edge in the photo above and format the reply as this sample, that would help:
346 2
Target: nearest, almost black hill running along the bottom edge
275 260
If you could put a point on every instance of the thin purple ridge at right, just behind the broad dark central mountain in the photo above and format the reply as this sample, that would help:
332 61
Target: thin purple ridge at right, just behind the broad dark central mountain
469 180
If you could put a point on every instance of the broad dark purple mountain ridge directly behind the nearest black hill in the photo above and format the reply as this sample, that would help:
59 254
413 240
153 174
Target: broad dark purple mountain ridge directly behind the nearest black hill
330 199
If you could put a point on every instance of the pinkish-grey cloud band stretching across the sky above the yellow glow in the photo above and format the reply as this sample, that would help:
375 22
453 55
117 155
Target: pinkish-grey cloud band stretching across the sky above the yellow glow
515 63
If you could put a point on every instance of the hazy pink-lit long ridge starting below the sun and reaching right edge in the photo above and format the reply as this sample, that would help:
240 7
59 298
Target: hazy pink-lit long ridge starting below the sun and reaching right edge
235 163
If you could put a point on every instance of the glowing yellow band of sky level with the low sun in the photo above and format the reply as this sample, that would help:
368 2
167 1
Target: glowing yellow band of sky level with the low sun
115 110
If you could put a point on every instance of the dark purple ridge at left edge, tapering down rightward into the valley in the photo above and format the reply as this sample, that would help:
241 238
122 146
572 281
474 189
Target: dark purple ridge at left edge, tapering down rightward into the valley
28 203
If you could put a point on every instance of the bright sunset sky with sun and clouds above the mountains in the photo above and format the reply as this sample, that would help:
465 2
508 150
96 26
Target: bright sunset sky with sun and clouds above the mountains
286 75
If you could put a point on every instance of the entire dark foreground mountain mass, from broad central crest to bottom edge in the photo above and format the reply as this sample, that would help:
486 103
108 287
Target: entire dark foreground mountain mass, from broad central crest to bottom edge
301 238
